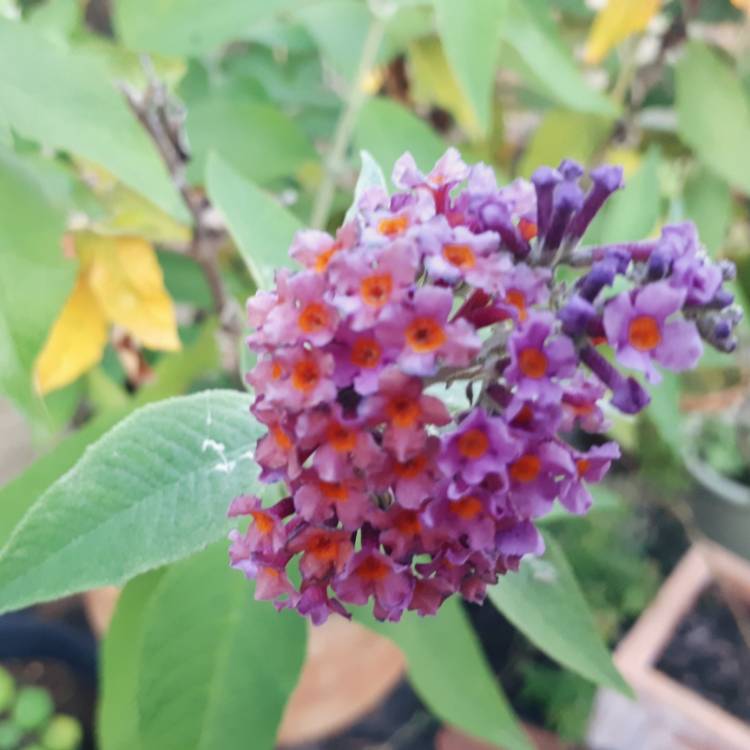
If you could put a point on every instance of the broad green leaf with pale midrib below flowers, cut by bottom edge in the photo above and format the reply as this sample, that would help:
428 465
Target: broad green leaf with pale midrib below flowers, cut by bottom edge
216 667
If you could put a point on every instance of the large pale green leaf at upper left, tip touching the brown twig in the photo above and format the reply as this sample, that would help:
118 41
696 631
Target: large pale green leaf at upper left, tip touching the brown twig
63 100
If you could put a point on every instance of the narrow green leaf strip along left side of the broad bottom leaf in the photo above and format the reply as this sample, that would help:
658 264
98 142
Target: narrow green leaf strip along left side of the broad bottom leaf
117 719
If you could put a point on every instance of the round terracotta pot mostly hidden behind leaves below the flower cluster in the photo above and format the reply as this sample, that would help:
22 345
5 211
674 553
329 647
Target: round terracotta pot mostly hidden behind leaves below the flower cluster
348 671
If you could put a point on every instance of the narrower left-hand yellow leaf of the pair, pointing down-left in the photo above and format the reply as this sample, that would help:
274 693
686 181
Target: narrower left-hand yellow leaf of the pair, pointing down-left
75 343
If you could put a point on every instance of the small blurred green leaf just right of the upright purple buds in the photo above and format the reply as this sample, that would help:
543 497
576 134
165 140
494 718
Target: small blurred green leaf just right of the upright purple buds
632 213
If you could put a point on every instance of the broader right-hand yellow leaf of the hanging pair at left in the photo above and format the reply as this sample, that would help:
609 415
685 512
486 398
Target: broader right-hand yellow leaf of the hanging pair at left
127 281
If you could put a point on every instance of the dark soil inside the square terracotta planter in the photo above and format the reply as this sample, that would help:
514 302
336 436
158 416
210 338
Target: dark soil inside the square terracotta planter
708 655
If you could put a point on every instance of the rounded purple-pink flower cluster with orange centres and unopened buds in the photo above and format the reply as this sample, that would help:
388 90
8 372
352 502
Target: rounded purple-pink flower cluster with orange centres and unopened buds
423 378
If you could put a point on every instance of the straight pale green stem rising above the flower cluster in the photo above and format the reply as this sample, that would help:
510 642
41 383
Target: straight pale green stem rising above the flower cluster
342 136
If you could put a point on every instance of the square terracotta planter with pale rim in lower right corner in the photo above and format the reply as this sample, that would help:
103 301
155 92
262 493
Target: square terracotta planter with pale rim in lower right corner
666 713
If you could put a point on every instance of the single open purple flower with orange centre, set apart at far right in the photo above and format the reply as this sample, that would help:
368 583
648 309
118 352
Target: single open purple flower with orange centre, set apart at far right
638 330
